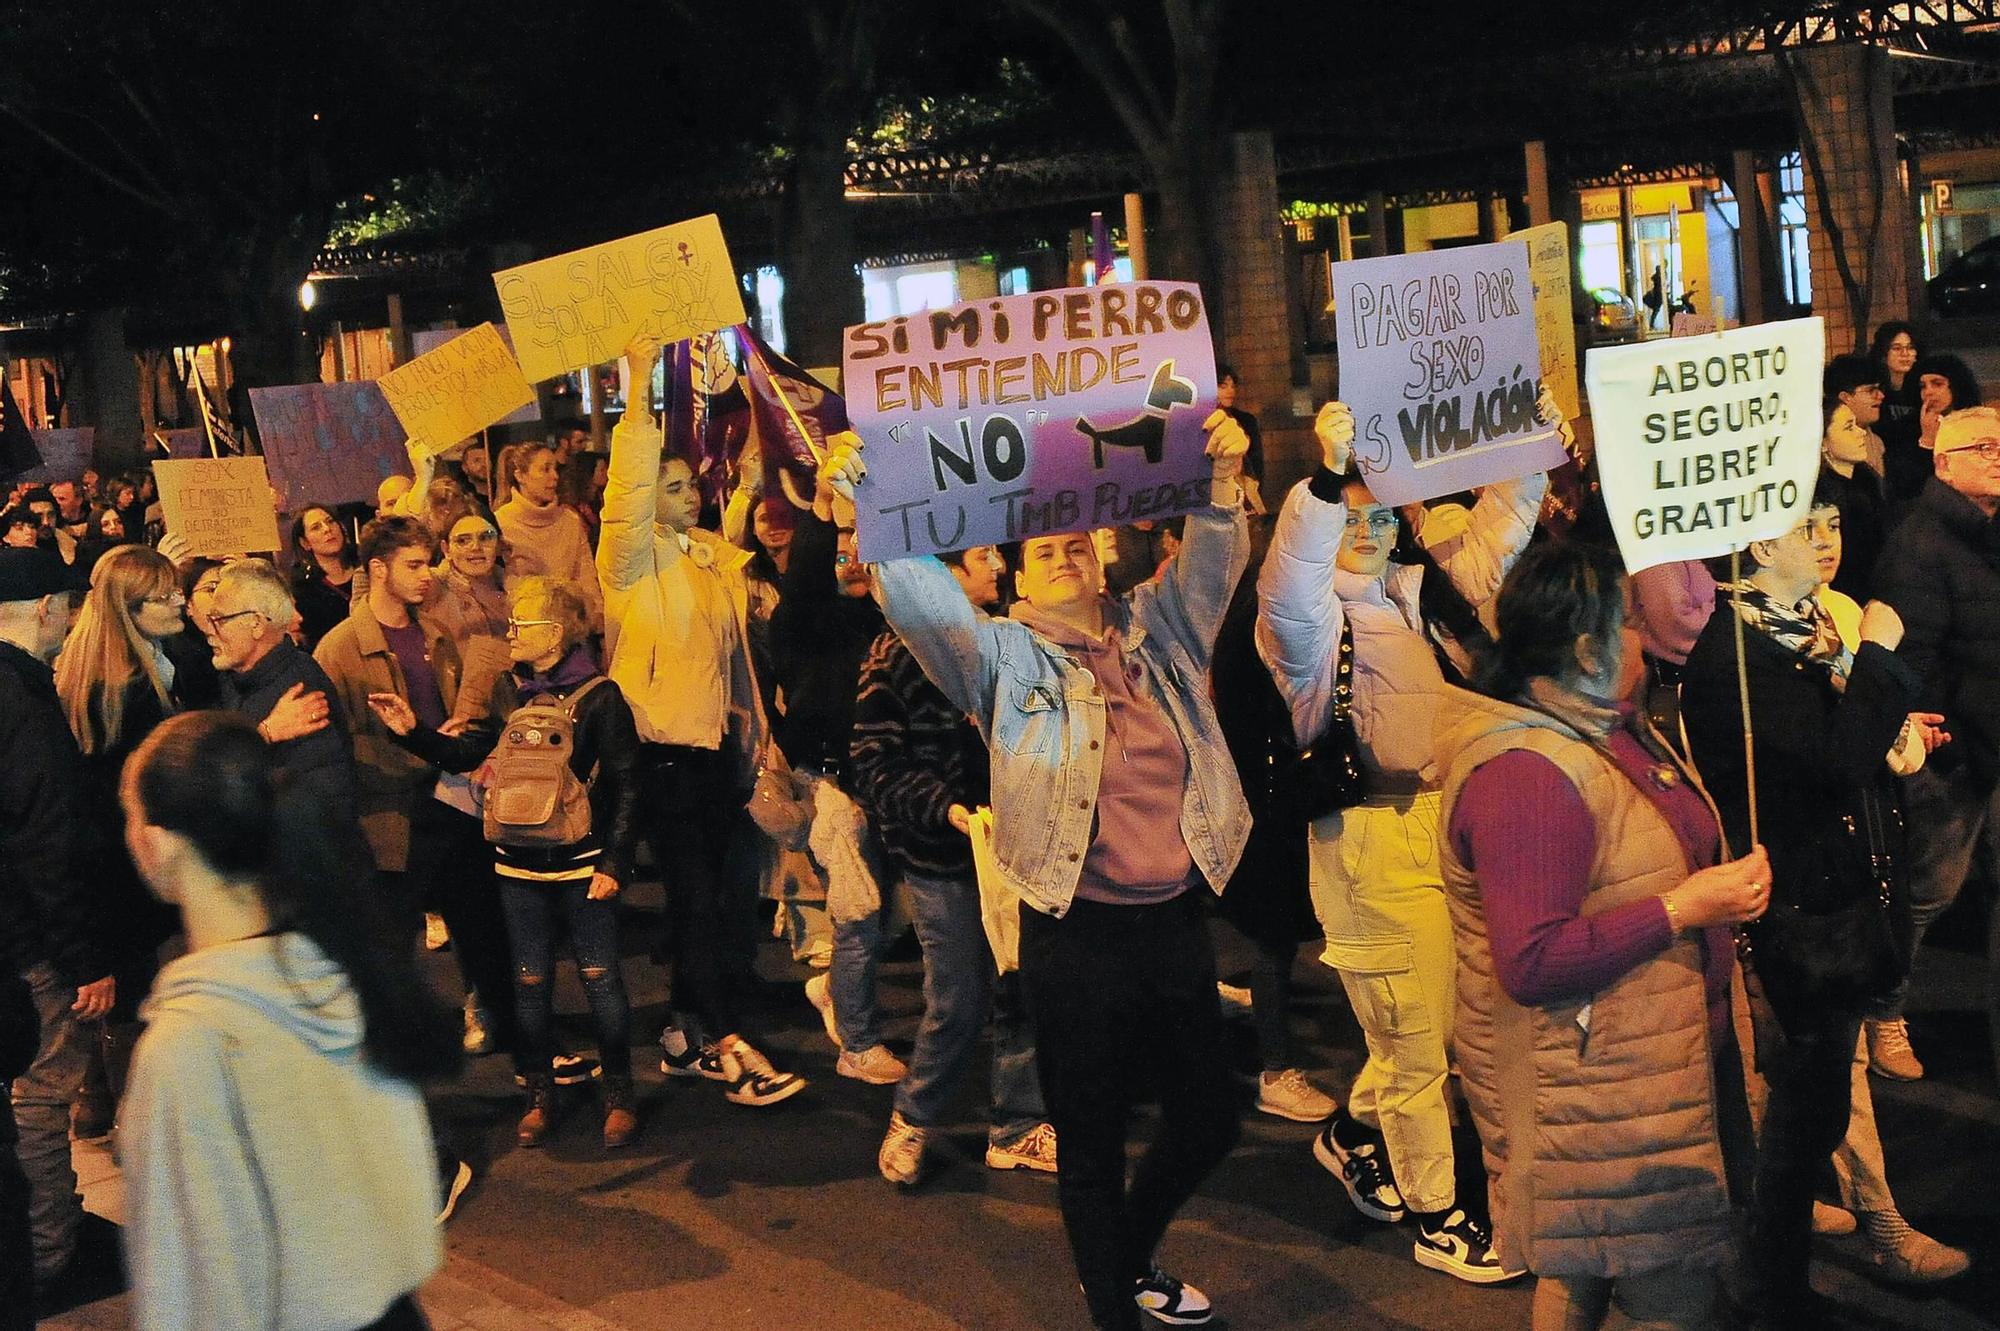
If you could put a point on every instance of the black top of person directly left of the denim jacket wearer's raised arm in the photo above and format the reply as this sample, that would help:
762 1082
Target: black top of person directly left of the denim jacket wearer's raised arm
819 641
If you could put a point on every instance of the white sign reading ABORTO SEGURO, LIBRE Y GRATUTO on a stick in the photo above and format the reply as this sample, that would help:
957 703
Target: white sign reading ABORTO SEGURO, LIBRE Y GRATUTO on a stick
1707 447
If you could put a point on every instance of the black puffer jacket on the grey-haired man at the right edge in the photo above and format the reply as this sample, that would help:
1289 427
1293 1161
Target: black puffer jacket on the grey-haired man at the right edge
1941 573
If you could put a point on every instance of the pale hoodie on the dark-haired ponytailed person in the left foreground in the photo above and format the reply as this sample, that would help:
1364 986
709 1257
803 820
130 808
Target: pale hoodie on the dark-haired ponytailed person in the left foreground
275 1180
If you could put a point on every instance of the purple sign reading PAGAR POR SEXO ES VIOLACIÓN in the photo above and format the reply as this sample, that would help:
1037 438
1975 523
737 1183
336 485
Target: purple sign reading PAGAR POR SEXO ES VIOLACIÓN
1441 365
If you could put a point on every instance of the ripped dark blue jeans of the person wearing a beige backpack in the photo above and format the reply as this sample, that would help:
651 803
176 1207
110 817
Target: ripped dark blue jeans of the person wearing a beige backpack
535 914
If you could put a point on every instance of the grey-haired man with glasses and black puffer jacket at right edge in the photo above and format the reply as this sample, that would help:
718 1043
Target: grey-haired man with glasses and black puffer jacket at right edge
1941 571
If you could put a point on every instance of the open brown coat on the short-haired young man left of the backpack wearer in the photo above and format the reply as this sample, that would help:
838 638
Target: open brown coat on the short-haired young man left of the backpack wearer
389 780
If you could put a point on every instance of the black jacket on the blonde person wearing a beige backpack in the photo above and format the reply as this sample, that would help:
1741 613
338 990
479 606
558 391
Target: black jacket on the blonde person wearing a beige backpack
607 742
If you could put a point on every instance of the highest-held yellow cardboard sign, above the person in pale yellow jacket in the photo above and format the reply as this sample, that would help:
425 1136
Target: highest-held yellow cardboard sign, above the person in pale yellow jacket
585 307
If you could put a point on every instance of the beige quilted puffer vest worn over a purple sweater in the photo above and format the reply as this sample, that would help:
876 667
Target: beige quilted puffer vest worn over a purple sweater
1601 1146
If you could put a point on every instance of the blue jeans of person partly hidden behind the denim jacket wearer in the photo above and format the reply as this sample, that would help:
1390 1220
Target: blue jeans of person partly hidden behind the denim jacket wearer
959 992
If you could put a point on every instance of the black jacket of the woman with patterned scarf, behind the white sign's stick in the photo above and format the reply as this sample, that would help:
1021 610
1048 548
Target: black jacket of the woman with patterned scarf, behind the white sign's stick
1827 800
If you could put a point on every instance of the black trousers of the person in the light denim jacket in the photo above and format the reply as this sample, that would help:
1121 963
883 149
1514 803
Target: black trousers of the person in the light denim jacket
1125 996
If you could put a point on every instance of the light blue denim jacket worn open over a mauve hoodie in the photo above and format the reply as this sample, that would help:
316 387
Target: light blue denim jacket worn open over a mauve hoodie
1043 714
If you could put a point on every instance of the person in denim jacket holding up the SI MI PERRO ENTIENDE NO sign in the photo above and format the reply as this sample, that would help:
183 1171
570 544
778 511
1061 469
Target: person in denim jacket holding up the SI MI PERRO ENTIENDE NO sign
1121 800
